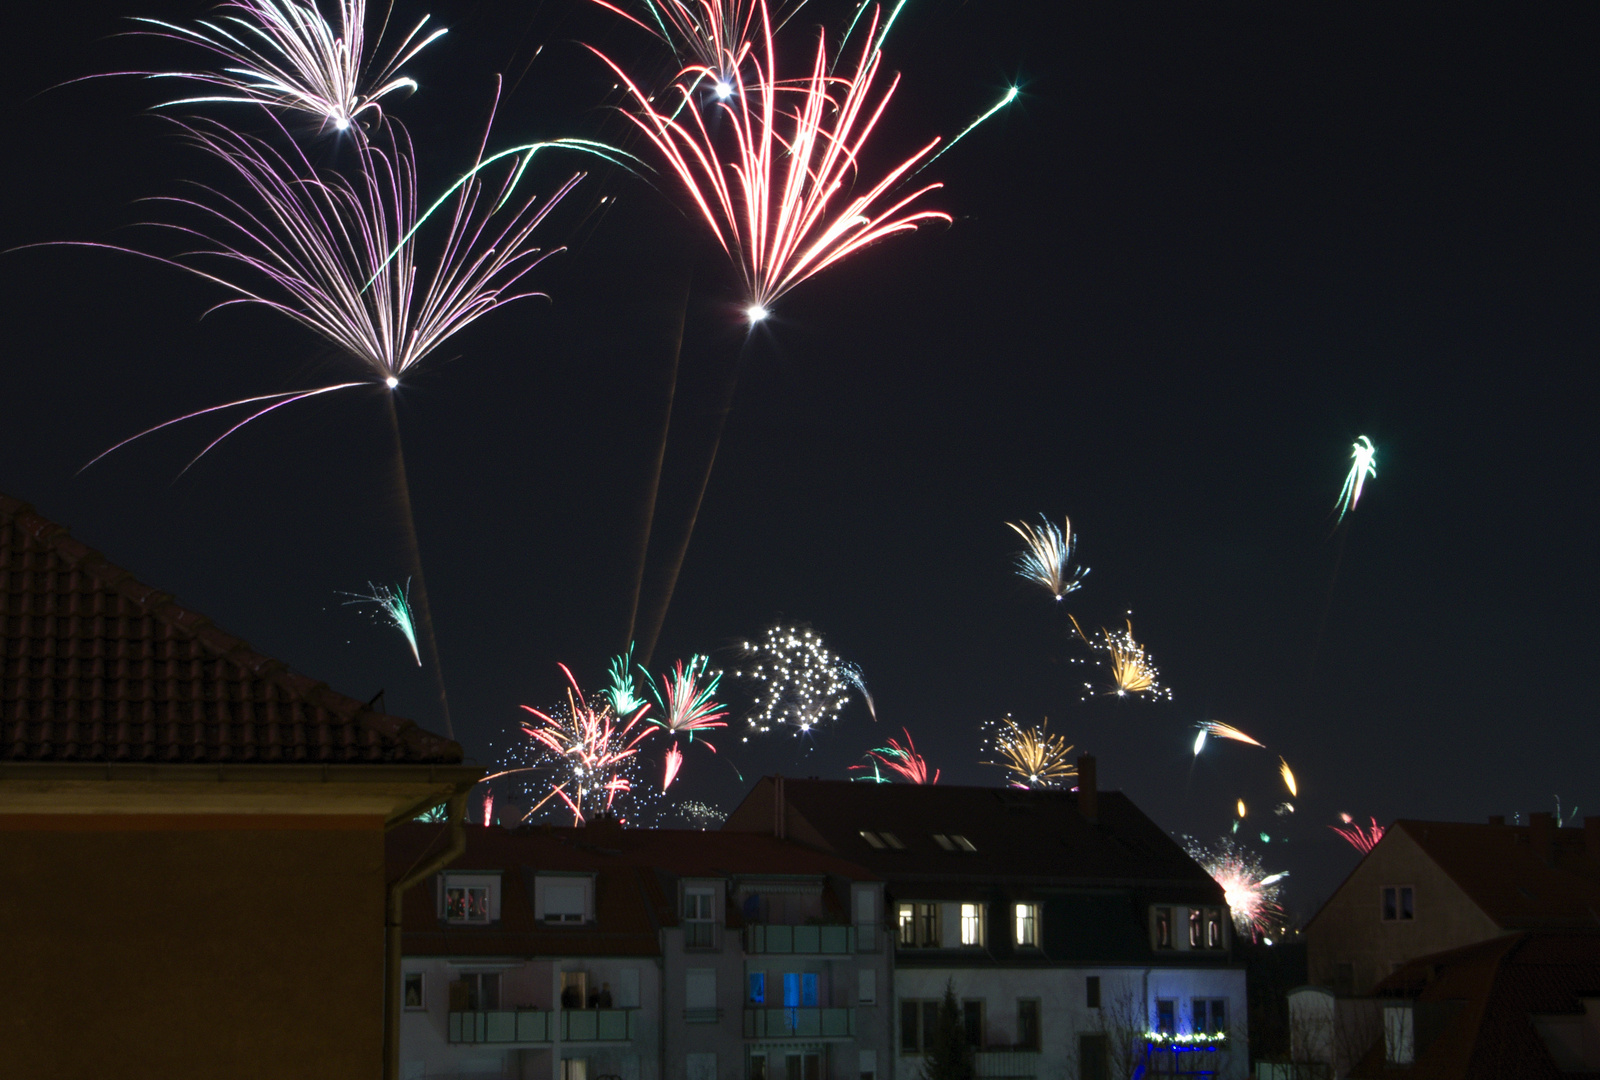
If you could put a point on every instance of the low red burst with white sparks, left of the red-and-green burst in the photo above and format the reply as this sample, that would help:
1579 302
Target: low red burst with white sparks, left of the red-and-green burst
594 746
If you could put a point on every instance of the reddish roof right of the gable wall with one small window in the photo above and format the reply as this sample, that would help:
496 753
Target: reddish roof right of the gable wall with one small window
1505 873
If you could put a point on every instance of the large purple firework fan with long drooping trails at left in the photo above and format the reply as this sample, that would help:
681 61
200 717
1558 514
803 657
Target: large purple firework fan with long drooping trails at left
324 252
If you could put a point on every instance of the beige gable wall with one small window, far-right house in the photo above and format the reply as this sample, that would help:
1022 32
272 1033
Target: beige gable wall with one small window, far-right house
1350 927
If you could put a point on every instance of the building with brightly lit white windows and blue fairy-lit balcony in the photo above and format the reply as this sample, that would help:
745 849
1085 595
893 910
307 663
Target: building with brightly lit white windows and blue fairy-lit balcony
1081 940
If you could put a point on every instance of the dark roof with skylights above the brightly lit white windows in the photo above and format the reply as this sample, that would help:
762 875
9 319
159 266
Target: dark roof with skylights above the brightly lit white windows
1015 834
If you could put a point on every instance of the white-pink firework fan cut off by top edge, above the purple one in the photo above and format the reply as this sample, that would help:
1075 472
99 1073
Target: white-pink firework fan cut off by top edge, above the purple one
286 55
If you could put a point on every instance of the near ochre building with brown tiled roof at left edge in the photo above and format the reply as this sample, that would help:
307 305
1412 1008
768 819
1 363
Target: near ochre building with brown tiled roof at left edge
193 879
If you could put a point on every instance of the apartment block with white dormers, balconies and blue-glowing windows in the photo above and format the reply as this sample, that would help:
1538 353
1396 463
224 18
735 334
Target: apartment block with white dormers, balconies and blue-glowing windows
642 954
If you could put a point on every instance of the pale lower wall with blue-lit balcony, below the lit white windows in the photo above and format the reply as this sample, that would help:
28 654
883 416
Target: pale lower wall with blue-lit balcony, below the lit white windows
1127 1007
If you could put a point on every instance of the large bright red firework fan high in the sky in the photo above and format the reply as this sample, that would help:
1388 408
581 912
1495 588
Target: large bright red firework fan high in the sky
772 207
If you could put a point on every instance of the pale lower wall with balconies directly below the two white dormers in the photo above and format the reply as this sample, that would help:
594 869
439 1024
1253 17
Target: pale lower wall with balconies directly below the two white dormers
426 1052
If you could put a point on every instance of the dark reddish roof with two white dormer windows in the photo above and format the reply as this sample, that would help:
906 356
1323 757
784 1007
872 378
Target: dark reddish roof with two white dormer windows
634 871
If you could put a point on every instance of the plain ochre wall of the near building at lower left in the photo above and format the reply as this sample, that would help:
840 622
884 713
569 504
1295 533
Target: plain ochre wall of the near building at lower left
167 948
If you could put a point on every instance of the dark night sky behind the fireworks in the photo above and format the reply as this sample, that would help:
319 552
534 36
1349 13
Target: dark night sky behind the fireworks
1206 250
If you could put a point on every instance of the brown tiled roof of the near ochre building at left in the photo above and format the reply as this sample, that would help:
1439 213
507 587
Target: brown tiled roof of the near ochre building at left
100 668
